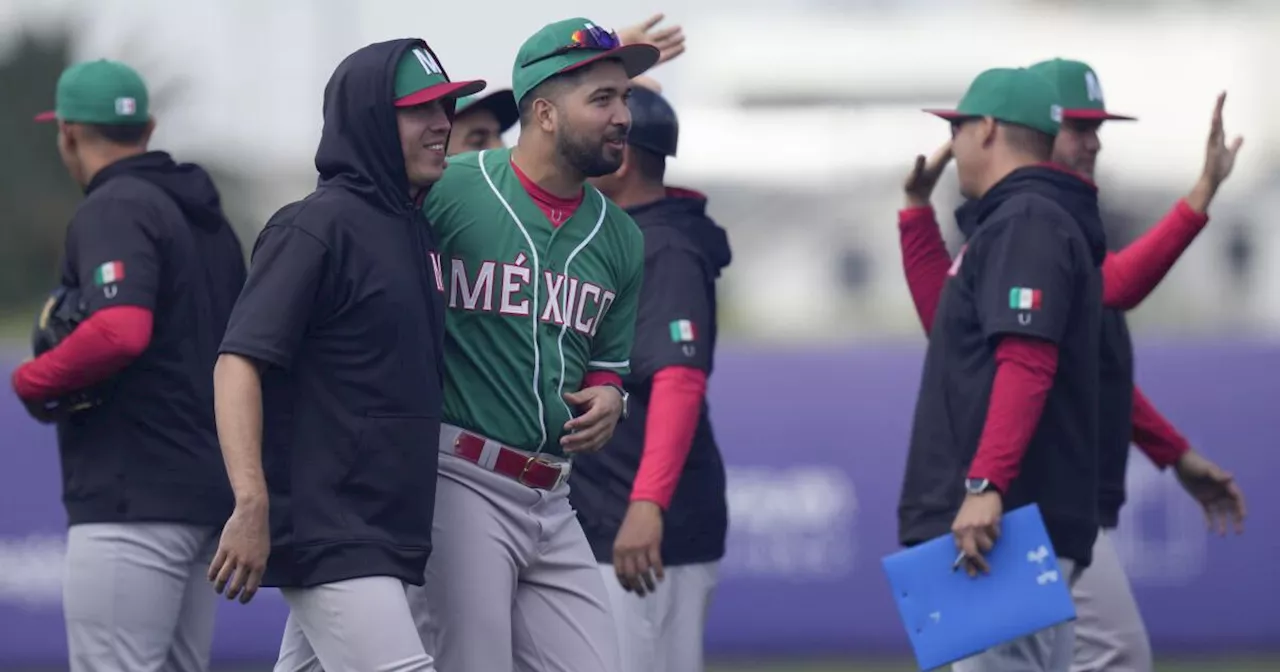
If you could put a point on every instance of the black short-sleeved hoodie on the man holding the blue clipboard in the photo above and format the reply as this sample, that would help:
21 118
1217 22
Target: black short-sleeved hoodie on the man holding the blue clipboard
1030 268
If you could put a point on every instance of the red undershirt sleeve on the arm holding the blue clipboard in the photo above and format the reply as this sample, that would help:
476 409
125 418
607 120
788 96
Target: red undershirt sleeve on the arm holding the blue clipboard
1025 376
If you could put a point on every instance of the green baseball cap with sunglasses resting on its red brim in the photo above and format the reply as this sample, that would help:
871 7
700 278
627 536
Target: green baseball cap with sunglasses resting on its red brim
572 44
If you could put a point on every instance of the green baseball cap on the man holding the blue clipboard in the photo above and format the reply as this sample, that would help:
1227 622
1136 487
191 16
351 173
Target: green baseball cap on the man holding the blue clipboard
1011 95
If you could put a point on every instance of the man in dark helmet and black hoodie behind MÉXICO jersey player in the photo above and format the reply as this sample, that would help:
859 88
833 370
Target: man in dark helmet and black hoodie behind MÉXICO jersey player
653 504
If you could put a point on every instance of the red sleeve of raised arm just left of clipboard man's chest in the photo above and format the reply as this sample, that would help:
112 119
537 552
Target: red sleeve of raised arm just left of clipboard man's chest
925 260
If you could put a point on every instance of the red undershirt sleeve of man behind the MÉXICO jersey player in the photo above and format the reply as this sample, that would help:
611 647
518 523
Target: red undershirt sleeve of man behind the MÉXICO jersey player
675 408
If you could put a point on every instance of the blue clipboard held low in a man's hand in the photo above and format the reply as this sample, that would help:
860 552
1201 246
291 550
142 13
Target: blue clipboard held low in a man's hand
950 616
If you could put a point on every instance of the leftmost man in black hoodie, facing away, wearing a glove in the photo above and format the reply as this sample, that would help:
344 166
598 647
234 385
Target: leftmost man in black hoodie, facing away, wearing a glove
157 268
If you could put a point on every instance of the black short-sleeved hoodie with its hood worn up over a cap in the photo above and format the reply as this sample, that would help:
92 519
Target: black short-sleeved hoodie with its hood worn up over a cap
344 308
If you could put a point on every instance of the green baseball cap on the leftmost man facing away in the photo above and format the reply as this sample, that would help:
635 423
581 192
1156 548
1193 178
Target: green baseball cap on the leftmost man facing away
100 93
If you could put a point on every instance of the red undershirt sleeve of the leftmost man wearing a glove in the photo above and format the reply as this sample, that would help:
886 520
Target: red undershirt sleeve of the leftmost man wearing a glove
99 349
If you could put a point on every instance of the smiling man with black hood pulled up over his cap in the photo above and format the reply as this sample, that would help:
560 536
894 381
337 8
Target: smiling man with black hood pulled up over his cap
328 390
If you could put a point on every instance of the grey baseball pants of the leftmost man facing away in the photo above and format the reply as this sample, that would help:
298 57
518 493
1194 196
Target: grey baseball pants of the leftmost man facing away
136 598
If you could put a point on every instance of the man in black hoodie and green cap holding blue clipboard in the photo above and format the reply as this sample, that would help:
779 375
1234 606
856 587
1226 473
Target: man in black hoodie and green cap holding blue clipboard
1008 409
